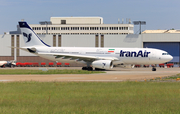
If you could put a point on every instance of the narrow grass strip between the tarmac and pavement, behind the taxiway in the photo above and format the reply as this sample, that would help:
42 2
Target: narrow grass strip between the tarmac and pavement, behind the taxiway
26 71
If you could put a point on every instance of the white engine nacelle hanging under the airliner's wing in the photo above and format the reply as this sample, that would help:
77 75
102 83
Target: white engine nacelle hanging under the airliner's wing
102 64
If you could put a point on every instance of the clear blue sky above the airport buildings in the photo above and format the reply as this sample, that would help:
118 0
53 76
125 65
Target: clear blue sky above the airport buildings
158 14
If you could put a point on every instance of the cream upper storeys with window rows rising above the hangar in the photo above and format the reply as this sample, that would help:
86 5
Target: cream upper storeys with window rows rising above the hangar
80 25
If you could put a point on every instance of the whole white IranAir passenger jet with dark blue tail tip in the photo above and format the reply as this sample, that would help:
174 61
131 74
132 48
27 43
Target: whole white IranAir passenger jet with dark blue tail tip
98 58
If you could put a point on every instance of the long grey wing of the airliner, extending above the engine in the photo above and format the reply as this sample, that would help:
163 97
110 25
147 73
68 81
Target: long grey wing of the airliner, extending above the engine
79 57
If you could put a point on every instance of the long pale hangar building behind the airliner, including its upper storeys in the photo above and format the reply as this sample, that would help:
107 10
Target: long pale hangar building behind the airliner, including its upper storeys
89 32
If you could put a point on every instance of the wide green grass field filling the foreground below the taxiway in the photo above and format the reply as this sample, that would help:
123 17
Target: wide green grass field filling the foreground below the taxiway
90 97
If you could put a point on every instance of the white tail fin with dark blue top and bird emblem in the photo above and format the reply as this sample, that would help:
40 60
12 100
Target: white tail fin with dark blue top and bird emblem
29 36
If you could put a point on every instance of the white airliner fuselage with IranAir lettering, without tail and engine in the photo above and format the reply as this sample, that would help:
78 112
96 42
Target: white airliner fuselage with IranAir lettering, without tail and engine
122 55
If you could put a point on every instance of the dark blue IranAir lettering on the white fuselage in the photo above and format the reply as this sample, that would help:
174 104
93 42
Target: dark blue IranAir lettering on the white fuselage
134 54
